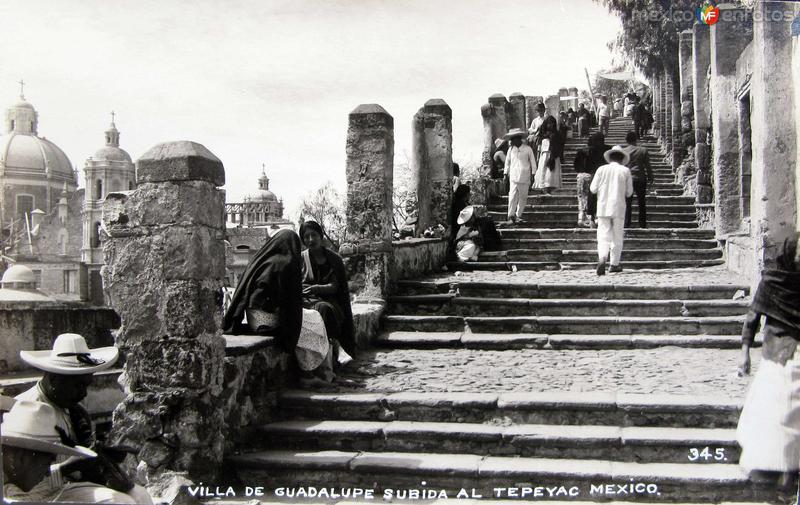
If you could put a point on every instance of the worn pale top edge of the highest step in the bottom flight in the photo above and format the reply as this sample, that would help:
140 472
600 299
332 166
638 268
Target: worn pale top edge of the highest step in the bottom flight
528 401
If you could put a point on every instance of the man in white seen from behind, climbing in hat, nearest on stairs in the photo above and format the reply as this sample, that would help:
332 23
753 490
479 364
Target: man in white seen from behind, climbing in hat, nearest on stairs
613 185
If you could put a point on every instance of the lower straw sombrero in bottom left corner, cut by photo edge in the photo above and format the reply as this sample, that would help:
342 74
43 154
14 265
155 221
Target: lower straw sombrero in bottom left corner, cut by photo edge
31 425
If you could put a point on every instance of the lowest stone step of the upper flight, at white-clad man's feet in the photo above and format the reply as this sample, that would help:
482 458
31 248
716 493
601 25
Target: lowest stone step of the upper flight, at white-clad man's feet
511 266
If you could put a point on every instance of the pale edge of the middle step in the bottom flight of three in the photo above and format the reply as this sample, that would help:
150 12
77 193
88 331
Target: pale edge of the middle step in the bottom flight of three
543 433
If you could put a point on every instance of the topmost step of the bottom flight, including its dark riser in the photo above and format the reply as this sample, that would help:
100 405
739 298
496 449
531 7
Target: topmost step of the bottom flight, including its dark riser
554 408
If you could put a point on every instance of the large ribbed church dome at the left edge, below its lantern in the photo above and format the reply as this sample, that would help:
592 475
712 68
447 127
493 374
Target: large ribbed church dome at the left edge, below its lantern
32 155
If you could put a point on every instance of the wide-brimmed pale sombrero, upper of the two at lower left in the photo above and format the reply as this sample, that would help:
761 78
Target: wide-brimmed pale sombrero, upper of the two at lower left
71 356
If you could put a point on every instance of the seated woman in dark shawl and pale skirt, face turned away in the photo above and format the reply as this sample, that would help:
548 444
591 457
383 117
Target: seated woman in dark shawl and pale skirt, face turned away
269 297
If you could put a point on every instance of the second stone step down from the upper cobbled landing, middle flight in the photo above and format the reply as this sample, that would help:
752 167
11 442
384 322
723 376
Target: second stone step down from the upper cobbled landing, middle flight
447 304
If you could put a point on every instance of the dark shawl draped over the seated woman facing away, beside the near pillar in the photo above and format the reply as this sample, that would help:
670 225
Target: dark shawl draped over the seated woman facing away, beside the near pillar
272 281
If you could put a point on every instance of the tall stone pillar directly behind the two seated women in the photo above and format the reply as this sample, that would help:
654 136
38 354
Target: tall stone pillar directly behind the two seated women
370 164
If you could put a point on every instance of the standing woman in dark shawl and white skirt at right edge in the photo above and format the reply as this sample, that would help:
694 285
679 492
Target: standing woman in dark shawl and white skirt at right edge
769 426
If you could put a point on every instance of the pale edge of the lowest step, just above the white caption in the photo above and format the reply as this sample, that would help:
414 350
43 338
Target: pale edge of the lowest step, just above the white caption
460 465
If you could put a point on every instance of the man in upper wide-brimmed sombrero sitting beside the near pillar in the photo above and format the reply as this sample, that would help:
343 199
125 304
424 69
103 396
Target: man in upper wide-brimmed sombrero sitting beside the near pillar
68 369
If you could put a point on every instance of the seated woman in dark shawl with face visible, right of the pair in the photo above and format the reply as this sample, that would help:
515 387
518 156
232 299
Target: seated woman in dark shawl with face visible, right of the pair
325 286
